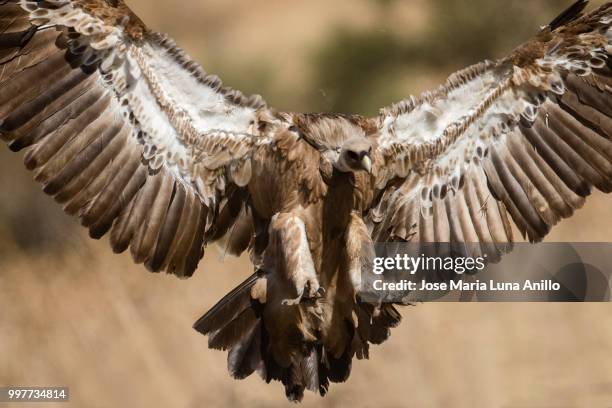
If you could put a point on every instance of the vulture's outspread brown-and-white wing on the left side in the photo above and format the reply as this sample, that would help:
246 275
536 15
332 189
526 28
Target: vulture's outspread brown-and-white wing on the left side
121 127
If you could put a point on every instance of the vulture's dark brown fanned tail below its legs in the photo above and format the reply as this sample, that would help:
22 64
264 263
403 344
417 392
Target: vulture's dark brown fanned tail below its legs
236 324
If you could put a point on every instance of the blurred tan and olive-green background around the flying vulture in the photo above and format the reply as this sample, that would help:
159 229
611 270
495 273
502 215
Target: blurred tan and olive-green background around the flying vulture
72 314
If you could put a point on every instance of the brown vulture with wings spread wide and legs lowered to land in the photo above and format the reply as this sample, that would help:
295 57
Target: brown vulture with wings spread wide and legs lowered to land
135 139
